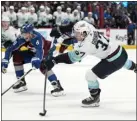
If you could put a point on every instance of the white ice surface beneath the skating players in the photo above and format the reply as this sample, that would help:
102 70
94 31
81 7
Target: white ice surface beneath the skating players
118 96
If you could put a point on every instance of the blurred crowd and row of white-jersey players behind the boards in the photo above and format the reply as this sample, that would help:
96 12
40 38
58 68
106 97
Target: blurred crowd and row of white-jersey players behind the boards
108 14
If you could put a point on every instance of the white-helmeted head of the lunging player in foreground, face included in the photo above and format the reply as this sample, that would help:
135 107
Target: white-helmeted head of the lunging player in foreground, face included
81 30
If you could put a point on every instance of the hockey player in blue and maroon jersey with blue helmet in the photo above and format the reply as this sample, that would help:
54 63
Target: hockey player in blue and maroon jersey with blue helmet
37 49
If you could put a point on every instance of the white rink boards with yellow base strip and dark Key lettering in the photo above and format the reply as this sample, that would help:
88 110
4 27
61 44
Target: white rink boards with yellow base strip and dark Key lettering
118 35
